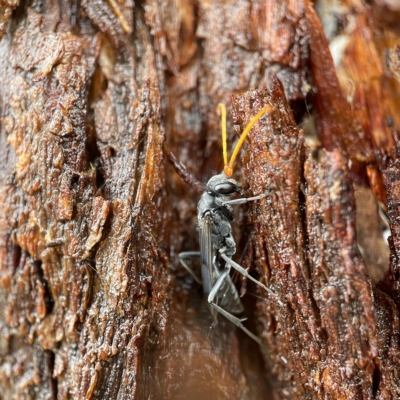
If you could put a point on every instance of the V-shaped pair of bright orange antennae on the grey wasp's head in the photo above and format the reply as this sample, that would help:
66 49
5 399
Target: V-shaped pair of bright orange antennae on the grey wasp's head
228 168
